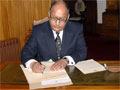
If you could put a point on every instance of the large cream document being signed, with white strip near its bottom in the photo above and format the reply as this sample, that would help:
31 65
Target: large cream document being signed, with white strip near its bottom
48 78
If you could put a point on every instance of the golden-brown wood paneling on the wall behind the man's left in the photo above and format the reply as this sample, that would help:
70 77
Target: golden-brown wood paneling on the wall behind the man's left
17 16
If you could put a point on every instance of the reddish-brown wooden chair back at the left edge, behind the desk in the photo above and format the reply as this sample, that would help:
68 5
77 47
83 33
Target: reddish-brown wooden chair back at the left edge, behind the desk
9 49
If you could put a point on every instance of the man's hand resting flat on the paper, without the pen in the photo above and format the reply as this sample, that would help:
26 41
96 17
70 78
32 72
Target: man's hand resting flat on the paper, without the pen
59 65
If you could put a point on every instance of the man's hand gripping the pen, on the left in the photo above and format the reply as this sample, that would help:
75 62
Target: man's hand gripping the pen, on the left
37 67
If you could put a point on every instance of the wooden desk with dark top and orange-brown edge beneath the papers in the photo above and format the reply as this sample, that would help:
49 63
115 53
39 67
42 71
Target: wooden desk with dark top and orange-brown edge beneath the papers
12 77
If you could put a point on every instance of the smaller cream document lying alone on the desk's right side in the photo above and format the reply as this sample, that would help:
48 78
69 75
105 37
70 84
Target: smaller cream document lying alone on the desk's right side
89 66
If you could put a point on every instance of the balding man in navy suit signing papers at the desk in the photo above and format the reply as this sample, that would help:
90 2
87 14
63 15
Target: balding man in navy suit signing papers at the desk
58 39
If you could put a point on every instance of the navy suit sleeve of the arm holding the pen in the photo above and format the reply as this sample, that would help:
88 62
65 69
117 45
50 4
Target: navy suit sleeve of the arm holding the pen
29 51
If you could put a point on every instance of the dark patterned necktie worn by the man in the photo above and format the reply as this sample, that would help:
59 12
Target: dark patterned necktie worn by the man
58 45
